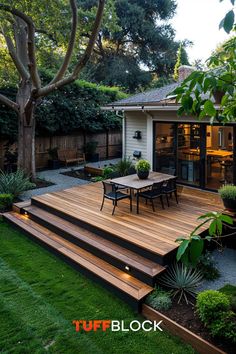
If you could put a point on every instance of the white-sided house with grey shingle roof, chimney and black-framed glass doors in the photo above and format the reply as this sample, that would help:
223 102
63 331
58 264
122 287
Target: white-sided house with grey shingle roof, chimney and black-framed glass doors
200 154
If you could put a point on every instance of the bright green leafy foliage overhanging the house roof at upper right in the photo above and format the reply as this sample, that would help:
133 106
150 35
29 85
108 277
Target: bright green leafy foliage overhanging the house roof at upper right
219 82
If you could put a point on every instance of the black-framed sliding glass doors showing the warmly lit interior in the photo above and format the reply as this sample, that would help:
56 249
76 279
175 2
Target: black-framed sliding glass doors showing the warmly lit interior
200 155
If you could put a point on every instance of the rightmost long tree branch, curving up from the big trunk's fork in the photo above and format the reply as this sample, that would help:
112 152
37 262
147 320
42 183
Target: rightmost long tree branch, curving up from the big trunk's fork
82 62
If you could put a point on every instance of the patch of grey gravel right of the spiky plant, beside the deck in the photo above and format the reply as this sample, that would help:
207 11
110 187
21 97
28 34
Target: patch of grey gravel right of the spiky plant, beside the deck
226 263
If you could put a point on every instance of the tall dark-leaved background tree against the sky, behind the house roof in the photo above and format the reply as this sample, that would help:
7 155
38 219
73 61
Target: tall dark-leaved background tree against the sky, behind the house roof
140 45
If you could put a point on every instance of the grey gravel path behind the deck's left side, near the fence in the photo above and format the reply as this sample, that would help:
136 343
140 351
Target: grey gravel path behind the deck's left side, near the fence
61 181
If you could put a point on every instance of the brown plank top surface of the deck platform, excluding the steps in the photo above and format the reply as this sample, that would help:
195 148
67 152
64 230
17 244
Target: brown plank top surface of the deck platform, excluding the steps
154 232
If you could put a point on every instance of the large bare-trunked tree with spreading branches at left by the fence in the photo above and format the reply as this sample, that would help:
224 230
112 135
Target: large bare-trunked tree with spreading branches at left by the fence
19 31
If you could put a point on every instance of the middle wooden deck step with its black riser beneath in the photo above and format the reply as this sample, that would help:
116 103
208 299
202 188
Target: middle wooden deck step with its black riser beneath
140 267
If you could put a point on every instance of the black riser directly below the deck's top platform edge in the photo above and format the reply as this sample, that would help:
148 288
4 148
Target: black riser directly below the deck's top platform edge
111 237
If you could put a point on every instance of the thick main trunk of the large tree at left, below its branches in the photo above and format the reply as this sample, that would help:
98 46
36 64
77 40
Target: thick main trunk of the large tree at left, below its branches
26 131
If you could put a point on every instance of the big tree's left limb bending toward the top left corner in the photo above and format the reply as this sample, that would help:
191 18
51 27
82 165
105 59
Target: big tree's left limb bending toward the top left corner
31 42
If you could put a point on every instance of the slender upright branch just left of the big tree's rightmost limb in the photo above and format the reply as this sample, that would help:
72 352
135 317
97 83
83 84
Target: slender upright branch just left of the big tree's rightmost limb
71 44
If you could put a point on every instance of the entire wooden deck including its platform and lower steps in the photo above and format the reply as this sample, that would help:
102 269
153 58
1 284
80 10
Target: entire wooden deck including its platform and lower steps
127 252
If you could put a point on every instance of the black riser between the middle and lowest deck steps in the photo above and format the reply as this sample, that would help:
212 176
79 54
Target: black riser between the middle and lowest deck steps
92 249
